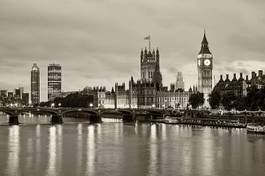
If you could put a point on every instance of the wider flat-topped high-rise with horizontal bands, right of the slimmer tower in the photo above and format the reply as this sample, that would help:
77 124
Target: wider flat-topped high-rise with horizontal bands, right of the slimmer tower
54 81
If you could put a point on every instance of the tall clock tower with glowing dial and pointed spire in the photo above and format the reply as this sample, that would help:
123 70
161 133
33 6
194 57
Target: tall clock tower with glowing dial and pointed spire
205 67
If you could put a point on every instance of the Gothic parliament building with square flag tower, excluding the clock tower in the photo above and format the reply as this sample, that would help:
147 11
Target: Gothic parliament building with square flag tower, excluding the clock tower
147 92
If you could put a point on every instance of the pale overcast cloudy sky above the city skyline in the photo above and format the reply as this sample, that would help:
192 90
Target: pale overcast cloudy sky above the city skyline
98 42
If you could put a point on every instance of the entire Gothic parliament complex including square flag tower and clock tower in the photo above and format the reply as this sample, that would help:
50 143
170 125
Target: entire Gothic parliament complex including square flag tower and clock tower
149 91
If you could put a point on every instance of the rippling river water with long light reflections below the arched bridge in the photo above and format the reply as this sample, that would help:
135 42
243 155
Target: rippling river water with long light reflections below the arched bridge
115 148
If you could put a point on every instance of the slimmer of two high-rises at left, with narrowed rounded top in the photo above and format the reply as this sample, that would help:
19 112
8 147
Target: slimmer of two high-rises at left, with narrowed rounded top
35 84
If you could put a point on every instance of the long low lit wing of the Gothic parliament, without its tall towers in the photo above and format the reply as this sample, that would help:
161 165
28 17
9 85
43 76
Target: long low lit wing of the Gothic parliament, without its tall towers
145 95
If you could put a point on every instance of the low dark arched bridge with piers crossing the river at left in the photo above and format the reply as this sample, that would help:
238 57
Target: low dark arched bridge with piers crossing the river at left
95 115
